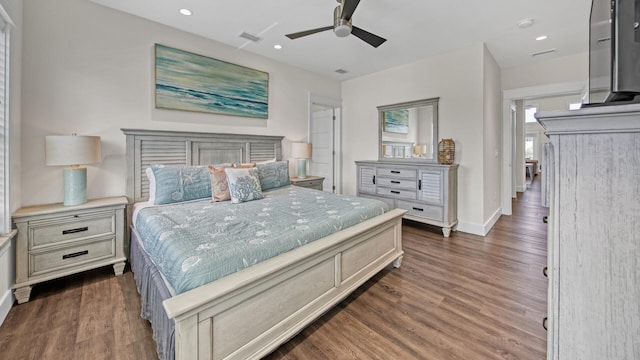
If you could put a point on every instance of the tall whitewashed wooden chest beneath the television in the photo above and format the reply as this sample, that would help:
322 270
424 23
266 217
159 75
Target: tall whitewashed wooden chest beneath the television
593 232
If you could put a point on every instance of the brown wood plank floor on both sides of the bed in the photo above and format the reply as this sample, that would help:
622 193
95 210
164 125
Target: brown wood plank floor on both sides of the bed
465 297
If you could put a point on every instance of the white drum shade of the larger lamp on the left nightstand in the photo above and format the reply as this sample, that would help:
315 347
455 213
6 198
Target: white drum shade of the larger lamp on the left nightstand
63 150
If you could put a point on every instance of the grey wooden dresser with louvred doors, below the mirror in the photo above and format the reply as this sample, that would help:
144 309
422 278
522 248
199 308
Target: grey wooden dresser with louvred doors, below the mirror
429 192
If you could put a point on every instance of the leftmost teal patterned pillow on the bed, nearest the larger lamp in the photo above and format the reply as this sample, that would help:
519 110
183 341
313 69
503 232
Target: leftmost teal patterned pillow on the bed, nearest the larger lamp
176 183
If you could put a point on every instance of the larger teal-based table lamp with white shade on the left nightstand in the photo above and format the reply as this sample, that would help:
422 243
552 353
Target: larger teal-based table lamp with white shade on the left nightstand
73 151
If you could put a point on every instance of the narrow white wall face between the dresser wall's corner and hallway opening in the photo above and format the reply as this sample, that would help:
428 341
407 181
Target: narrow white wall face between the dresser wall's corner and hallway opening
492 142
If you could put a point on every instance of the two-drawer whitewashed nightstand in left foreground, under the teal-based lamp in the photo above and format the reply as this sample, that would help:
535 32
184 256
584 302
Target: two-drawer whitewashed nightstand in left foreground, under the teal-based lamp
56 240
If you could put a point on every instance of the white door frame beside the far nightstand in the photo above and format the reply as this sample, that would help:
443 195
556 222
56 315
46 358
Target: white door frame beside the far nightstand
335 104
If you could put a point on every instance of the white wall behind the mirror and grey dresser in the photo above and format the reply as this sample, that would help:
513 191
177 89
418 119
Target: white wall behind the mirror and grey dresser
457 78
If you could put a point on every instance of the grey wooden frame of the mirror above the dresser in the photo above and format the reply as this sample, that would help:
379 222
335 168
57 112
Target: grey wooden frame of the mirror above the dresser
407 105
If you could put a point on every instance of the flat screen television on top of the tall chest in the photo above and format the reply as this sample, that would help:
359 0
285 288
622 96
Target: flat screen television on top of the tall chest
614 52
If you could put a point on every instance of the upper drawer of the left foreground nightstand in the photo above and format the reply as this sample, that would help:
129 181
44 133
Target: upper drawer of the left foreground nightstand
42 233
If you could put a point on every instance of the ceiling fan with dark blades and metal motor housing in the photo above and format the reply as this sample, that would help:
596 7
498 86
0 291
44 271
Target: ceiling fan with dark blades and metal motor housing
342 25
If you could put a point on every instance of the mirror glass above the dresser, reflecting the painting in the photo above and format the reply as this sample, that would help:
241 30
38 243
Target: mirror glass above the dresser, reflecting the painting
409 131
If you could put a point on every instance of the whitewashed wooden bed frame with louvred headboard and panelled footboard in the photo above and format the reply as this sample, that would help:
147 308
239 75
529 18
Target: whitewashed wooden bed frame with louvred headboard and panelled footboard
248 314
